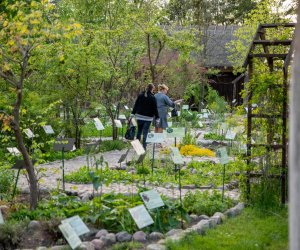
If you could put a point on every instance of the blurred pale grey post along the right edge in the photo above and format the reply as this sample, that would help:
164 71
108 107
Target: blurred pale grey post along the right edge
294 146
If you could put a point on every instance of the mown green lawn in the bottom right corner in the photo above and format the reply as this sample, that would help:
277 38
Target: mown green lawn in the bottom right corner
250 230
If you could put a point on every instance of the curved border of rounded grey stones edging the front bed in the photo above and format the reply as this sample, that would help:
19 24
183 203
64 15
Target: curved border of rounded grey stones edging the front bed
102 239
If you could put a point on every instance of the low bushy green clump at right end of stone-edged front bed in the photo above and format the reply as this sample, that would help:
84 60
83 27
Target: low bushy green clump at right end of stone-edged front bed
206 203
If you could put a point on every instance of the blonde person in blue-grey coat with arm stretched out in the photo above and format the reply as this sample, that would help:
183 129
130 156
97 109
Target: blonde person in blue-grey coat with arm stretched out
163 102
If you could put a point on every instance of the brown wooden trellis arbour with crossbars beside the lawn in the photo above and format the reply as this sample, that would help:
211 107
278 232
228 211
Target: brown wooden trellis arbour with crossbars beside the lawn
260 40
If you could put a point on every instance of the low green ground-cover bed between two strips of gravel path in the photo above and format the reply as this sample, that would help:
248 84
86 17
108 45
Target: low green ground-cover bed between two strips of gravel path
195 173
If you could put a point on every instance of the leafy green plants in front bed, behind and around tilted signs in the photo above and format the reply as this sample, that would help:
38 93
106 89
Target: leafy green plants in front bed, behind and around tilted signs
109 211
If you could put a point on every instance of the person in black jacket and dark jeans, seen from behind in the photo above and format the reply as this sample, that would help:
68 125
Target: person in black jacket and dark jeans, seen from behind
145 110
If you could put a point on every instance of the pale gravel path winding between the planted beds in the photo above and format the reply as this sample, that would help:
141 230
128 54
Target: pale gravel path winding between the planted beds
53 175
